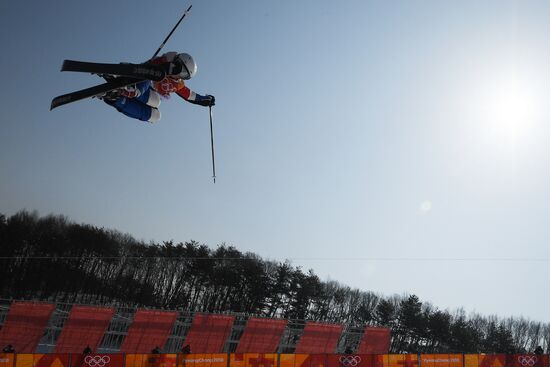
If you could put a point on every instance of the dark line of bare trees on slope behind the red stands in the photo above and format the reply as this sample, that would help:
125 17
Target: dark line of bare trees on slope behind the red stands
54 259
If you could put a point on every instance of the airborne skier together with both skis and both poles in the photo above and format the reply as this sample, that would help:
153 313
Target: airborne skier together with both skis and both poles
136 89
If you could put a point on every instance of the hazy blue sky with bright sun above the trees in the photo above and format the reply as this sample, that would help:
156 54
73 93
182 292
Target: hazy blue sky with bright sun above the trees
344 131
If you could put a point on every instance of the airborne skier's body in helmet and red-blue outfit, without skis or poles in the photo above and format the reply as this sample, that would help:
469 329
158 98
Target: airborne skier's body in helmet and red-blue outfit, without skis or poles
141 101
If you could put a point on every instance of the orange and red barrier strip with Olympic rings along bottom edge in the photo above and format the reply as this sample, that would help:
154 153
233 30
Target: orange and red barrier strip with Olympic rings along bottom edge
272 360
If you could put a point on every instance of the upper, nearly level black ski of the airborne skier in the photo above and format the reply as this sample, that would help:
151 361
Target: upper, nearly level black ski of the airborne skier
138 71
